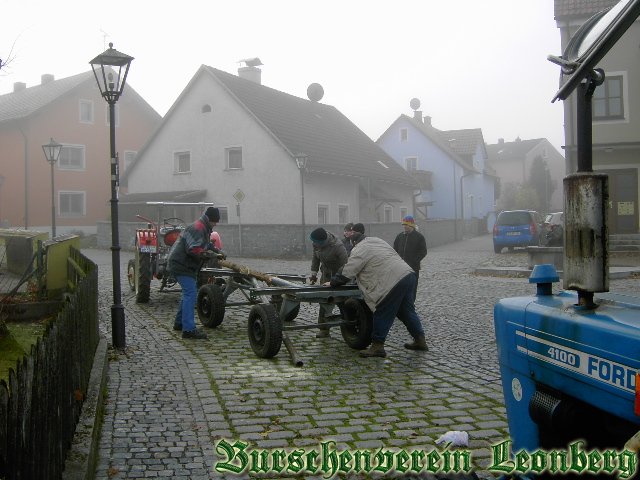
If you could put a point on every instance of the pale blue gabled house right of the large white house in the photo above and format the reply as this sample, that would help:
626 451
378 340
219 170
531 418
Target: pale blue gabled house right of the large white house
450 167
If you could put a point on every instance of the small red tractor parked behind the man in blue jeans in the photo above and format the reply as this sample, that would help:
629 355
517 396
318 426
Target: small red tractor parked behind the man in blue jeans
152 251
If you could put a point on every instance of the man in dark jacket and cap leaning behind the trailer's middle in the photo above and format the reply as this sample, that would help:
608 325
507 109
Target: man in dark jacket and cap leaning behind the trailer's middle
329 255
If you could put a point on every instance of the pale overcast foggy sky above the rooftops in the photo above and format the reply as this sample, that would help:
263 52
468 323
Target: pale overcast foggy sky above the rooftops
471 63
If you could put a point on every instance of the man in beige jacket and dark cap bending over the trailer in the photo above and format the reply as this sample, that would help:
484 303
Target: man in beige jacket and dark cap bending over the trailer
387 286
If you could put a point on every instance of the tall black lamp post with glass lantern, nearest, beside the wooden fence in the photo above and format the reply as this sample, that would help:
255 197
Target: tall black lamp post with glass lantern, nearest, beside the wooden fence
110 69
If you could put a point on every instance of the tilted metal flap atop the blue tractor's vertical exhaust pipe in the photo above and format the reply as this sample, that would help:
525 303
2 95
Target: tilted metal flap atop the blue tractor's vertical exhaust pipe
592 41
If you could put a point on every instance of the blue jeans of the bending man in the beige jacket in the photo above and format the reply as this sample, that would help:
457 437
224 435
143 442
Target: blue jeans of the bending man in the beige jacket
397 303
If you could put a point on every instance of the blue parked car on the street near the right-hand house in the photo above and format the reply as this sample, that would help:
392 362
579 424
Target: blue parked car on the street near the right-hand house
516 228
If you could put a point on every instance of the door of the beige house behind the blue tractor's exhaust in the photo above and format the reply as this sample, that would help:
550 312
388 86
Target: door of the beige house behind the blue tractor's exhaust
623 200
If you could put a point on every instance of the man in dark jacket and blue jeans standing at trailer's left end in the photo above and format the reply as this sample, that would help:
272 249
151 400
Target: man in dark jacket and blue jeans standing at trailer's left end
186 256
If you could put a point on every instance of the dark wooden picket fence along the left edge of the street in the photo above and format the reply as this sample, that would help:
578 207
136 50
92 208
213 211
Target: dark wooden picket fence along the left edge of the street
40 405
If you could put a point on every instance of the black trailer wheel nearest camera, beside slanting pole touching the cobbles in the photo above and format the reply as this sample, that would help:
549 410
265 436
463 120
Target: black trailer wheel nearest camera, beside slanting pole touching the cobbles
265 330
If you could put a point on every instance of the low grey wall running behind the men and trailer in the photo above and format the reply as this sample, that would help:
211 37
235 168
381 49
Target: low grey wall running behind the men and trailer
274 241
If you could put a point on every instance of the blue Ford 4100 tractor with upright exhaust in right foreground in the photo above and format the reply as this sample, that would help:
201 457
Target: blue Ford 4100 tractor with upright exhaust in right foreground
570 361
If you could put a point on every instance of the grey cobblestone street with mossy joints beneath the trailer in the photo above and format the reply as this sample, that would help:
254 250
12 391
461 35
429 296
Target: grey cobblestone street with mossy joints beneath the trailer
171 400
